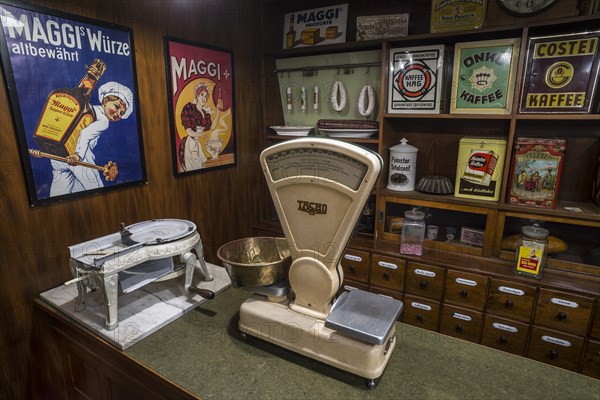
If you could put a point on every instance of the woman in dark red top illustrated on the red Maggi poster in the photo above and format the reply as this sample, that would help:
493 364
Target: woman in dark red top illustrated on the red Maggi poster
197 120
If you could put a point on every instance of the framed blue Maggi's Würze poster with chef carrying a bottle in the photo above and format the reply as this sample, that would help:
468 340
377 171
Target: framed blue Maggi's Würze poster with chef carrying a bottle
73 92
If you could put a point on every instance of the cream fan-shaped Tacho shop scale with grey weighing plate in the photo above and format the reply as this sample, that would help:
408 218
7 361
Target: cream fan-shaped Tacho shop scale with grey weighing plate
319 187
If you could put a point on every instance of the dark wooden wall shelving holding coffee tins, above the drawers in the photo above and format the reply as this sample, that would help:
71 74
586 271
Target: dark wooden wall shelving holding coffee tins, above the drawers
437 137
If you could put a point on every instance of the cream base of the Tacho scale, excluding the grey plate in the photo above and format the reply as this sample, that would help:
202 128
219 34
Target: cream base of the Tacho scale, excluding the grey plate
278 324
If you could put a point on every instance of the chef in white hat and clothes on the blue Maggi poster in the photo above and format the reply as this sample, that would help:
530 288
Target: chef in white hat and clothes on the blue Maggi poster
78 172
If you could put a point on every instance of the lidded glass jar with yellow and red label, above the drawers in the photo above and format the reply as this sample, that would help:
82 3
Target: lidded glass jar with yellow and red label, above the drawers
530 255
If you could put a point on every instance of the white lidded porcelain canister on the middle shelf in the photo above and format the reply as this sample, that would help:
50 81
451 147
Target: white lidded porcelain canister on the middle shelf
403 165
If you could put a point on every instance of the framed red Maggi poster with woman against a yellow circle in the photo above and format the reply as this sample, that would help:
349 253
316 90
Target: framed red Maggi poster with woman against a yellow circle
201 110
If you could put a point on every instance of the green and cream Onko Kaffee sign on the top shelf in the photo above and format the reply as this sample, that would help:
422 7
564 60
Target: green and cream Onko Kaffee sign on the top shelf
483 79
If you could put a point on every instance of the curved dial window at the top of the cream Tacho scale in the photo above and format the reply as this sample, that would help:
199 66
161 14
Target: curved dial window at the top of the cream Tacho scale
320 164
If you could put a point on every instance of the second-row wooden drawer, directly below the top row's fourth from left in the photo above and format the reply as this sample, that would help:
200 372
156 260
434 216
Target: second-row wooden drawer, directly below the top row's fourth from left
461 323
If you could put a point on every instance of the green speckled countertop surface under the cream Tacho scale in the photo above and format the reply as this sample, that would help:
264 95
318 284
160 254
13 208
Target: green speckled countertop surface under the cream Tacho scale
202 352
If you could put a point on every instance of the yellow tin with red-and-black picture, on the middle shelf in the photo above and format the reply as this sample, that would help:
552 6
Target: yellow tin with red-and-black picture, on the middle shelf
479 168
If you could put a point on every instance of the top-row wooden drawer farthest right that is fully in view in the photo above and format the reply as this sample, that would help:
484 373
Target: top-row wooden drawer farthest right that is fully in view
563 311
